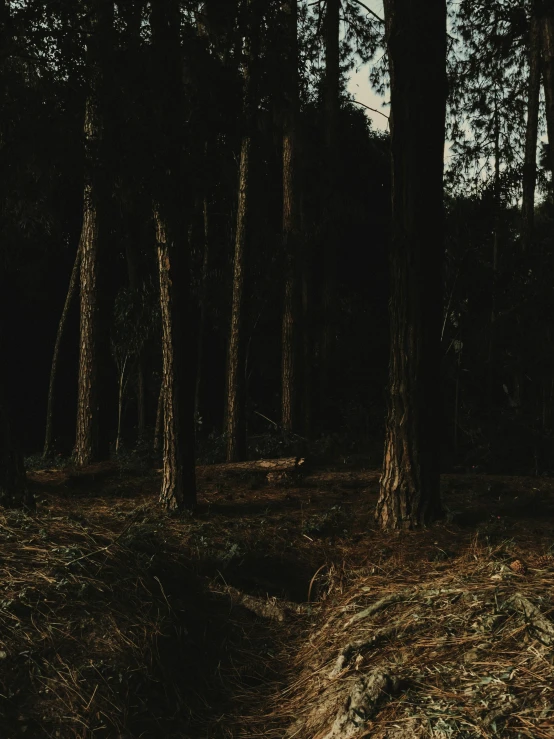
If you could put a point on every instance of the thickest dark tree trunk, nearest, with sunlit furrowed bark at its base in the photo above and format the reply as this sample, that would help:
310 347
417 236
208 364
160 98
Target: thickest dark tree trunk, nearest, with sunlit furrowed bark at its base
409 487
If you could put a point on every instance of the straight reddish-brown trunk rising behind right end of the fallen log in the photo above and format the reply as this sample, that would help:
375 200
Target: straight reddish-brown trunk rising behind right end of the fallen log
291 241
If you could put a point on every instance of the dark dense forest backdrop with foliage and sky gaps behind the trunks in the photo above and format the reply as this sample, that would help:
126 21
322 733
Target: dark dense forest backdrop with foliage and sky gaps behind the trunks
235 76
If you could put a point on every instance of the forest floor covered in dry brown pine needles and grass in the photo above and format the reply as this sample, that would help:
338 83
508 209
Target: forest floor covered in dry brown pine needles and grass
277 610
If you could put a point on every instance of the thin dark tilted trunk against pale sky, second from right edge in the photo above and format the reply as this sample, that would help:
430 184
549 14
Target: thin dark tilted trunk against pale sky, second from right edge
531 132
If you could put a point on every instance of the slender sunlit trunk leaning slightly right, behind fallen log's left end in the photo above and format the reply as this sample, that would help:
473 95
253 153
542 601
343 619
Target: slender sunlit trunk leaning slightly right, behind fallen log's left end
238 335
